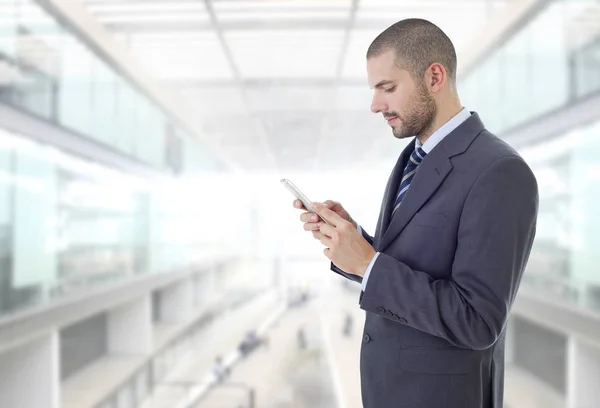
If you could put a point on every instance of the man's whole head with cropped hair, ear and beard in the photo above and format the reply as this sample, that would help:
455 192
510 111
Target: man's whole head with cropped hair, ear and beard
412 68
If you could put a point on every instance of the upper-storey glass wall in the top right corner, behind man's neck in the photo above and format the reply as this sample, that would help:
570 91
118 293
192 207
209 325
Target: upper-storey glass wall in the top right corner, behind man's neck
553 60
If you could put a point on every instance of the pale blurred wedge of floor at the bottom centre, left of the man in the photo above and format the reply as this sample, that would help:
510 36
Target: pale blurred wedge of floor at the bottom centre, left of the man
281 374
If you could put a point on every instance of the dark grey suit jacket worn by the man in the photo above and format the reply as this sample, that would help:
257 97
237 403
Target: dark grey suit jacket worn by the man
450 263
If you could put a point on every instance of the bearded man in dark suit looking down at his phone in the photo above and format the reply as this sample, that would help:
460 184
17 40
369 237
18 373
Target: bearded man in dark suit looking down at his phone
453 237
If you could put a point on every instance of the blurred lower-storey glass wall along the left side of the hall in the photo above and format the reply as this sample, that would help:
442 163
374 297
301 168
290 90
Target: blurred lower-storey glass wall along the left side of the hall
68 225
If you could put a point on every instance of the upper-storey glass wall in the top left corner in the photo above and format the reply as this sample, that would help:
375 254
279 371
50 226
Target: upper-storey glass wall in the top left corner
47 70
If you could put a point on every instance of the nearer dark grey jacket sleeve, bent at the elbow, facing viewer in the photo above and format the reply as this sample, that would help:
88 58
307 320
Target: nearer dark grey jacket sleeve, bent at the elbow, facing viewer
495 234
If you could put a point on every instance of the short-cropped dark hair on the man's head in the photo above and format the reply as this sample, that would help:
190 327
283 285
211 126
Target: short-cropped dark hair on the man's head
418 43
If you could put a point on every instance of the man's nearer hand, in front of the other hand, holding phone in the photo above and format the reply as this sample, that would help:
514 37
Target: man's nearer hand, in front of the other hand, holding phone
346 247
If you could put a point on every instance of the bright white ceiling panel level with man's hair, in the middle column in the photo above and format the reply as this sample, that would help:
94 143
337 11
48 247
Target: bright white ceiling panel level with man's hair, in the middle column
285 54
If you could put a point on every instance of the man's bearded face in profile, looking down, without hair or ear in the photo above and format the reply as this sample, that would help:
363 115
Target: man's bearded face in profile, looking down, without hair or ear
407 105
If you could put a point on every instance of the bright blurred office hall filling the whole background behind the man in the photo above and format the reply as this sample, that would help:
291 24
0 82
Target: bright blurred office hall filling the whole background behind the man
144 232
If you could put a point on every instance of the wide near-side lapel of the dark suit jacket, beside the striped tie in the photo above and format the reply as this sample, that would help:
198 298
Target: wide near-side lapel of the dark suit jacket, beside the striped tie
431 173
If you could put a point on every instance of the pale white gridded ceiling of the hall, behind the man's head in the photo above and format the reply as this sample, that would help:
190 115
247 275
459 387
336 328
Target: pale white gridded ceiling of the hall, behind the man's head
279 84
